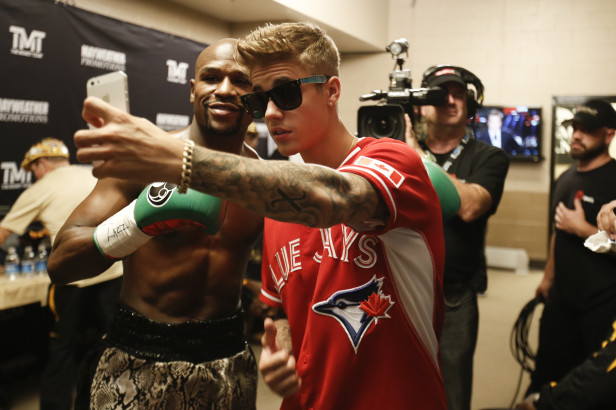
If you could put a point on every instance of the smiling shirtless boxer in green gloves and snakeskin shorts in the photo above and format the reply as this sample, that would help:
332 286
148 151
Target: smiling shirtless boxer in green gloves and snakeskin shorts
177 340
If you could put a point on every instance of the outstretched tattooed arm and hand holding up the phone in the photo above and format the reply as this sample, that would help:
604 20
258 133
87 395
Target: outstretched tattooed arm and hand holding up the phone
311 195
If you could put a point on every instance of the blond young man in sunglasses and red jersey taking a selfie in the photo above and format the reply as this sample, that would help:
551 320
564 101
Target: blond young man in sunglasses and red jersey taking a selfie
353 246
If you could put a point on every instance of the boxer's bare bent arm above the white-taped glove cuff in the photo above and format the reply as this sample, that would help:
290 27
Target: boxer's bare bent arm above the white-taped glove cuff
74 255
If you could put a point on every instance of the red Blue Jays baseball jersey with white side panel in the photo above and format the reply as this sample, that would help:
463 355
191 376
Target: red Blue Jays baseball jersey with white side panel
365 308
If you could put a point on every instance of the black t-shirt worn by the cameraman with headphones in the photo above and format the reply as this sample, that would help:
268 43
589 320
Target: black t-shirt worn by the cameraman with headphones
487 166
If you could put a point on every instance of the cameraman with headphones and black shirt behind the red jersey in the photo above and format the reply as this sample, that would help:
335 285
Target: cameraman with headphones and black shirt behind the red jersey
478 172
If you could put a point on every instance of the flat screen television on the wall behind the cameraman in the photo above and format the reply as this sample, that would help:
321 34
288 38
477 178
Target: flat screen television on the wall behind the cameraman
515 129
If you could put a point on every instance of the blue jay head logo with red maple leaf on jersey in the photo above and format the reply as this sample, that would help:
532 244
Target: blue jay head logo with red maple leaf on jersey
356 309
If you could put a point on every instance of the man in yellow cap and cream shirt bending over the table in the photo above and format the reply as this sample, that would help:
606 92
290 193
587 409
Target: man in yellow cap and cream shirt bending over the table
58 189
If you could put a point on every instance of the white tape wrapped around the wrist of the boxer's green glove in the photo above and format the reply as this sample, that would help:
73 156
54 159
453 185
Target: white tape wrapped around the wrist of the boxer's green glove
119 235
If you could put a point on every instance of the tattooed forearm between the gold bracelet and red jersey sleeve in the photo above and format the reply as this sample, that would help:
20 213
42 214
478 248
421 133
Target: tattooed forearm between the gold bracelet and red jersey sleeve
311 195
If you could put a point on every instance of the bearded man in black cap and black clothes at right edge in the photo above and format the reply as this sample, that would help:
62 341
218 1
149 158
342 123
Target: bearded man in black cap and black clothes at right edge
579 285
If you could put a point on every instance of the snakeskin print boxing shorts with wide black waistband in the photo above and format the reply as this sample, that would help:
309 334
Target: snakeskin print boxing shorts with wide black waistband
168 368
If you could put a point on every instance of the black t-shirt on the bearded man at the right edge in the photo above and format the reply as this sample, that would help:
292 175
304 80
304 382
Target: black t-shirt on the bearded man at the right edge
583 278
